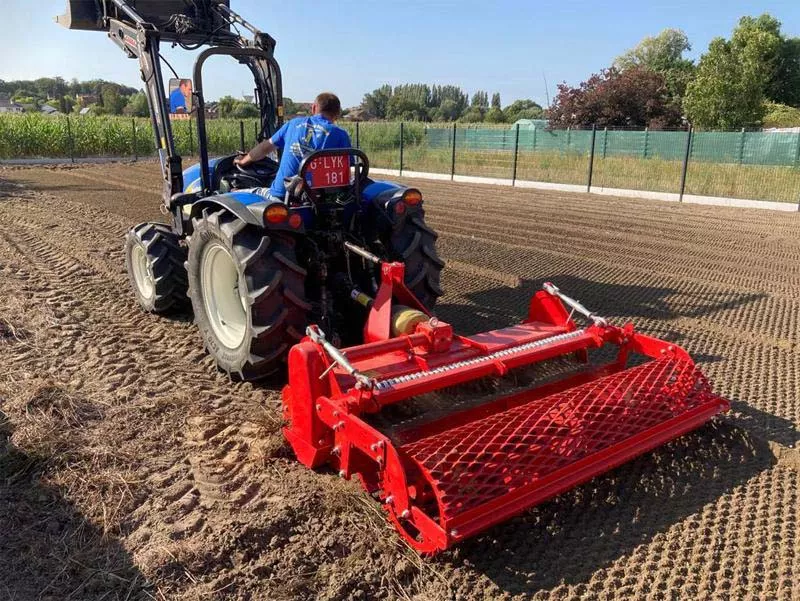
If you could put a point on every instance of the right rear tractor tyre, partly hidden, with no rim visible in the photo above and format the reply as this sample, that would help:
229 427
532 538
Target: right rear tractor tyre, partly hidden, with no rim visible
415 245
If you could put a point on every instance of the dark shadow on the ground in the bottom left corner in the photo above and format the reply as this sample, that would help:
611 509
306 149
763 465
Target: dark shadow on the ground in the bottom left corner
48 551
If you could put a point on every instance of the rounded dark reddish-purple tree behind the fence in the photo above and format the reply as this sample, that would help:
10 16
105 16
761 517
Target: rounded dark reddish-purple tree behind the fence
634 97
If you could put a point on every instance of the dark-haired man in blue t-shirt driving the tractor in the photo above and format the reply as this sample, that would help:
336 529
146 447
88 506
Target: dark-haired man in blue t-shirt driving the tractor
300 137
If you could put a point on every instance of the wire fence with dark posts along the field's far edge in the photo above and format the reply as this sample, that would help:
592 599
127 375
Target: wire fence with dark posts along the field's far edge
751 165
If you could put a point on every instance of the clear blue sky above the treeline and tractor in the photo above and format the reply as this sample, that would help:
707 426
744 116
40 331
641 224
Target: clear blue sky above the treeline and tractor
353 46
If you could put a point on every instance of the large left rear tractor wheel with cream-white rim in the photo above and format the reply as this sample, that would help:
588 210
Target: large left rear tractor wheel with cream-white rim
248 294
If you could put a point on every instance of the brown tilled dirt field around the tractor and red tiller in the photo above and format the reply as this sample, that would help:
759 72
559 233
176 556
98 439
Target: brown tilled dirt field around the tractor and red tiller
131 469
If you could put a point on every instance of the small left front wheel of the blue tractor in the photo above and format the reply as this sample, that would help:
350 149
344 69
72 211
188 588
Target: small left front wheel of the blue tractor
154 259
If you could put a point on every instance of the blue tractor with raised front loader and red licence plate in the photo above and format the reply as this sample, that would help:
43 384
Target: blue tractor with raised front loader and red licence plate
257 272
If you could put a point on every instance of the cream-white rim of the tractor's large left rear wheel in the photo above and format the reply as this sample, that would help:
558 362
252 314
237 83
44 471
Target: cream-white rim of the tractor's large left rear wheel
224 304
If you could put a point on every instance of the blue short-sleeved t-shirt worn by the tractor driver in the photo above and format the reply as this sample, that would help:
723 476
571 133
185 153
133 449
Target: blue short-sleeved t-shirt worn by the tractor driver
300 137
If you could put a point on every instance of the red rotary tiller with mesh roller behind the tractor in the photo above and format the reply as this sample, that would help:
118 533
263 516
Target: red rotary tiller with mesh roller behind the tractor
448 477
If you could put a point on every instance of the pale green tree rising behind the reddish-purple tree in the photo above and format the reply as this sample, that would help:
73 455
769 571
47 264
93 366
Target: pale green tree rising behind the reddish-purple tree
662 54
